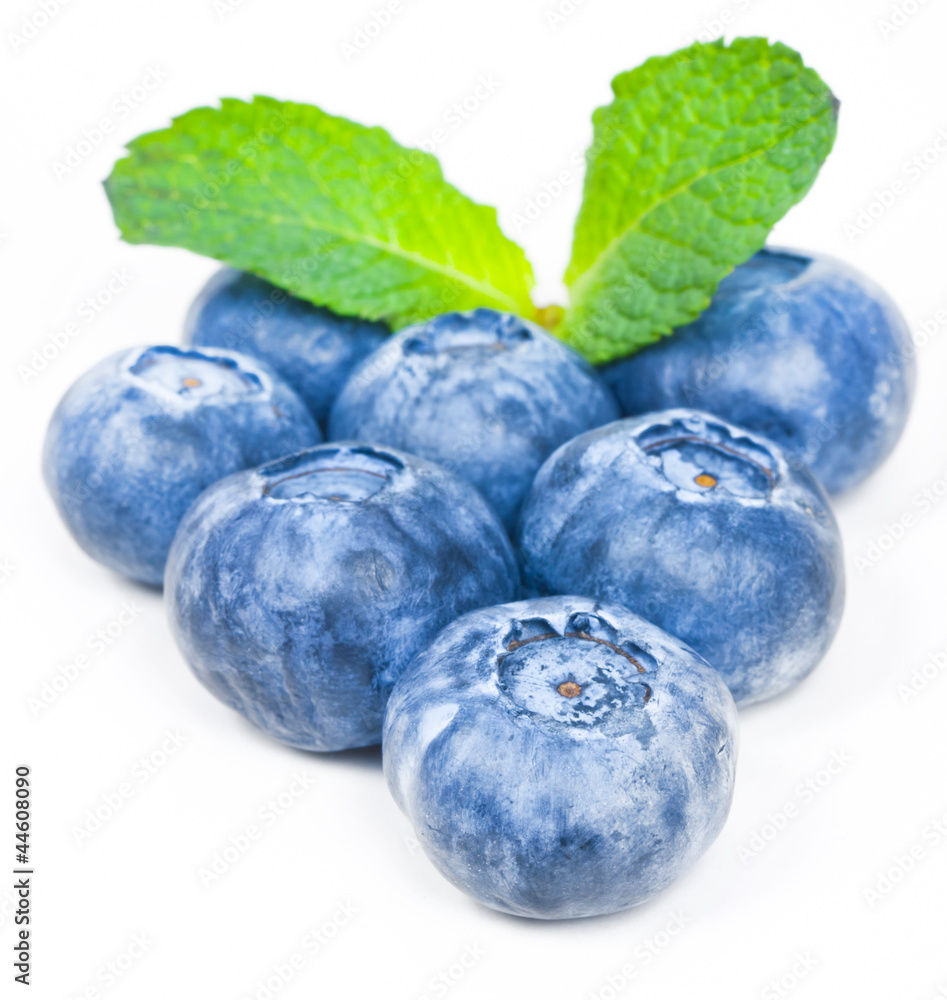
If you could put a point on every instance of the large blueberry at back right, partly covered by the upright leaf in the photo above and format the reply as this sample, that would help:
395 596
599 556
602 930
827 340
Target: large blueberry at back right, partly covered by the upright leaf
799 347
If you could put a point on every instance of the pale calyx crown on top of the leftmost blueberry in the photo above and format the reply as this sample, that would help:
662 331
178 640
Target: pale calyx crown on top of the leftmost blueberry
192 375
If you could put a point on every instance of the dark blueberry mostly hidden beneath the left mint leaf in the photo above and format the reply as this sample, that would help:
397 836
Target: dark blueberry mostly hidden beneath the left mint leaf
313 348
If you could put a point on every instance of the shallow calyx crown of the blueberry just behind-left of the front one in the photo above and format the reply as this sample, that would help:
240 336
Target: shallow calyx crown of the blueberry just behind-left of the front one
334 474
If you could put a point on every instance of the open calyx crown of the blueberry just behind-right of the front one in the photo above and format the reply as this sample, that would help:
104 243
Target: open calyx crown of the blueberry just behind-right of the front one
701 455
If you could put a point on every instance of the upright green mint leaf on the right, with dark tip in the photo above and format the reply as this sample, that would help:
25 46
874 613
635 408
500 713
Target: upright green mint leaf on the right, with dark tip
696 159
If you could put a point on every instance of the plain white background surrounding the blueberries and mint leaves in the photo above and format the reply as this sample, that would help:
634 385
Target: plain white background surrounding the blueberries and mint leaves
342 843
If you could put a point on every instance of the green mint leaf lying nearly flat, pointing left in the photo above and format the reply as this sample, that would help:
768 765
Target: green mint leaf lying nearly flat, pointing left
333 211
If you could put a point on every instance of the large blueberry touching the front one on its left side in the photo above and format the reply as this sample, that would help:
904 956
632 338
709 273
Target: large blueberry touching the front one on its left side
299 591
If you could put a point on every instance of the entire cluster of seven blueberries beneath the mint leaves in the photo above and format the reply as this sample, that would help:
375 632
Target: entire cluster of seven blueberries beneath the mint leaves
451 541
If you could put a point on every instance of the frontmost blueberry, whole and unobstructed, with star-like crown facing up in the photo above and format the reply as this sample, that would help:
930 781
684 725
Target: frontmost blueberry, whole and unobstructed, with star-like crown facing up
561 757
